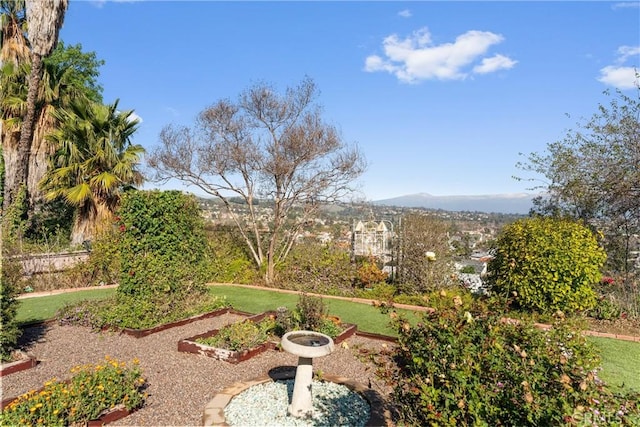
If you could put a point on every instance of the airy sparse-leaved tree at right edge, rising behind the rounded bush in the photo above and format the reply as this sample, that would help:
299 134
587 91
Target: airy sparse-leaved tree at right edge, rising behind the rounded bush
593 174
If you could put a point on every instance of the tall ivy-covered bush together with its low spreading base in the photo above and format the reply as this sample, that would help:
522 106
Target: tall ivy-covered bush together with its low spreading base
163 260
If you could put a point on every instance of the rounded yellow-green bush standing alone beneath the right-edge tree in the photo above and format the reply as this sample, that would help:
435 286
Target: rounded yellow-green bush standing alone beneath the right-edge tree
547 264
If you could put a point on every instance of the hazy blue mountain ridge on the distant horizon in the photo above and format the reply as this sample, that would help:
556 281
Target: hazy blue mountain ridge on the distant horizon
518 203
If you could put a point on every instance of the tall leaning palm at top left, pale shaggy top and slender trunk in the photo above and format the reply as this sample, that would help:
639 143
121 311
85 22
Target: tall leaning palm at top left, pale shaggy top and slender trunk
44 19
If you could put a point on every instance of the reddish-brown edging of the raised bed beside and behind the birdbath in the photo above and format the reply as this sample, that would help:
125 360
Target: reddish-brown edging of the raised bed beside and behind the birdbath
190 345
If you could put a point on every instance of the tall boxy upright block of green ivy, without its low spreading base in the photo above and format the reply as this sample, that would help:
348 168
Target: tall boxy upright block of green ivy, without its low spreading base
163 245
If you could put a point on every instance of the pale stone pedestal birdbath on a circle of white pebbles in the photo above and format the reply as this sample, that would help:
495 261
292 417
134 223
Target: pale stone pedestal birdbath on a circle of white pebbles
306 345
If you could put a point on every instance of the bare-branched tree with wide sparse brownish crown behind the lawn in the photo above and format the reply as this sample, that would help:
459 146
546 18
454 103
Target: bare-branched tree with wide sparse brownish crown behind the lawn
265 148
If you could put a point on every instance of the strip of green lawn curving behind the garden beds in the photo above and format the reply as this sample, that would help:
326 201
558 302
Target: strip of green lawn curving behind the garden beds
620 359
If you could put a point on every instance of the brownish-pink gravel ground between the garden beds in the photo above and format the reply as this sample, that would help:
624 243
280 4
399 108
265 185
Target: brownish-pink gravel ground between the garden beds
180 384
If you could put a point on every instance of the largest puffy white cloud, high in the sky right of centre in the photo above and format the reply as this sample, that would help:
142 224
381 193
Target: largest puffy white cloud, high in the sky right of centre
416 58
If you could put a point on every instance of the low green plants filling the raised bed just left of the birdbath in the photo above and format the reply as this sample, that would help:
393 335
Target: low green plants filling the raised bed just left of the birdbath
241 336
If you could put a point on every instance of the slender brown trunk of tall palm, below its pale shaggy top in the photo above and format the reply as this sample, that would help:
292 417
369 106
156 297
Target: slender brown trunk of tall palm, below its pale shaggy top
26 134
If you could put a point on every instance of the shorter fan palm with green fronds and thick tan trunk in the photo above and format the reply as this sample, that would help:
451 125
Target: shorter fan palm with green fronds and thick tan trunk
95 162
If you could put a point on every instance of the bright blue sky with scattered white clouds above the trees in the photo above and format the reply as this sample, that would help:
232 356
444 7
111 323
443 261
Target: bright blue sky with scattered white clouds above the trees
441 97
